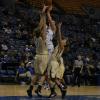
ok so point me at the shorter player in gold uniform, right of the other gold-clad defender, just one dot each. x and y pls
(56, 66)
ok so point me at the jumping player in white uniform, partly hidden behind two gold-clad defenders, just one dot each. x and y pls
(50, 31)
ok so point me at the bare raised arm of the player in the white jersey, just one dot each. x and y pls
(51, 21)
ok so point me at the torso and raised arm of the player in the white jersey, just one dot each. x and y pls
(50, 30)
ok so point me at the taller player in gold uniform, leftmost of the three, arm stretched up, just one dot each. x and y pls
(41, 58)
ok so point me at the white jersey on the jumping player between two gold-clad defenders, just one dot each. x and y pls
(49, 39)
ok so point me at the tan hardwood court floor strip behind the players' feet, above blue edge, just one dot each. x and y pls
(20, 90)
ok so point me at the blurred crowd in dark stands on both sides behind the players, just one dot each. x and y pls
(17, 46)
